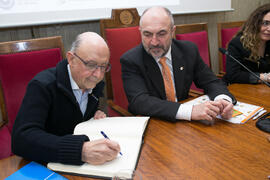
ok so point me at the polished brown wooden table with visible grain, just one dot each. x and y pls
(193, 150)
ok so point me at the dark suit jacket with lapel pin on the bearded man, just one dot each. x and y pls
(143, 82)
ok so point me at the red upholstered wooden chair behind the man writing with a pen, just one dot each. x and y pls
(20, 61)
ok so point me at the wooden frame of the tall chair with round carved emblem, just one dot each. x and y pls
(120, 18)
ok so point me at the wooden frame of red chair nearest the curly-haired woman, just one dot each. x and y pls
(220, 26)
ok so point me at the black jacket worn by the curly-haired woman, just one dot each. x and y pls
(235, 73)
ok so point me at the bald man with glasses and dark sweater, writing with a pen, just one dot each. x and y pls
(59, 98)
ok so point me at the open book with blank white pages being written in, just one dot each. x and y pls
(127, 131)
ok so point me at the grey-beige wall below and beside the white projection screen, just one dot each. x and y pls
(242, 9)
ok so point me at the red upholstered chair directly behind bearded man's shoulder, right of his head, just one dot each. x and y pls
(198, 34)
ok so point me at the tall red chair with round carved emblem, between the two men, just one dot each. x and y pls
(121, 33)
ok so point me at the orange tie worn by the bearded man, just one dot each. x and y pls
(166, 73)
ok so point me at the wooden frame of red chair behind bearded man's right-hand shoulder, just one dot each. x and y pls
(190, 28)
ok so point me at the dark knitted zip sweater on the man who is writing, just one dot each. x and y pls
(47, 117)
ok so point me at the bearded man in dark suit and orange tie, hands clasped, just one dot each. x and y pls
(159, 72)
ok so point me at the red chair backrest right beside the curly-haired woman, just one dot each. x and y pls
(226, 30)
